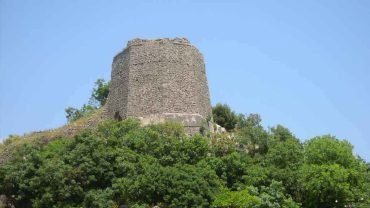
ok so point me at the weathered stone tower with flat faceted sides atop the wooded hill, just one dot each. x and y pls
(160, 80)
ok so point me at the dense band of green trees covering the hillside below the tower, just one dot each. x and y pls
(124, 163)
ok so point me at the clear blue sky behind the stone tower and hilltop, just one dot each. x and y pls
(302, 64)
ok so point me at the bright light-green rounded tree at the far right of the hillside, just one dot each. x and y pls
(331, 172)
